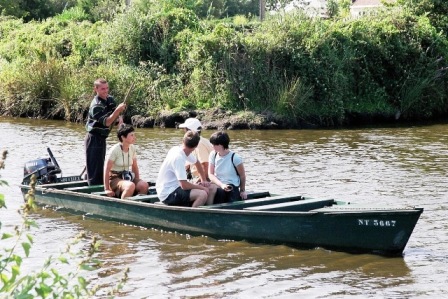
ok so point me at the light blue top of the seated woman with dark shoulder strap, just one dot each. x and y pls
(224, 168)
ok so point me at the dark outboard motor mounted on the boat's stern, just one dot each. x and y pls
(45, 170)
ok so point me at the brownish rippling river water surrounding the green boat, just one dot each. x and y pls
(407, 165)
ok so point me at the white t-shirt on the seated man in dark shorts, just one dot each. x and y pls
(172, 171)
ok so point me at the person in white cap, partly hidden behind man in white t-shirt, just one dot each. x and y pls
(203, 150)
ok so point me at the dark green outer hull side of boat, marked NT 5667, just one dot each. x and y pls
(350, 228)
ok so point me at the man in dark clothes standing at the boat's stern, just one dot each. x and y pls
(103, 112)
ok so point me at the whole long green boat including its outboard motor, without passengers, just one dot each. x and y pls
(292, 220)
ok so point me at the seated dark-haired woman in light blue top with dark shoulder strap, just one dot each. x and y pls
(226, 170)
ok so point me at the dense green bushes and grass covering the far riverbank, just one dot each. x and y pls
(187, 55)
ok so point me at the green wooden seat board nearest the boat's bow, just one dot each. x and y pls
(302, 205)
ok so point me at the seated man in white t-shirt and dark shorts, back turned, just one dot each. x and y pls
(172, 185)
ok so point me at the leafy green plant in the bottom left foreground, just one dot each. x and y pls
(47, 281)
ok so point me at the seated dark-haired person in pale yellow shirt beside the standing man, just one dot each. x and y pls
(118, 180)
